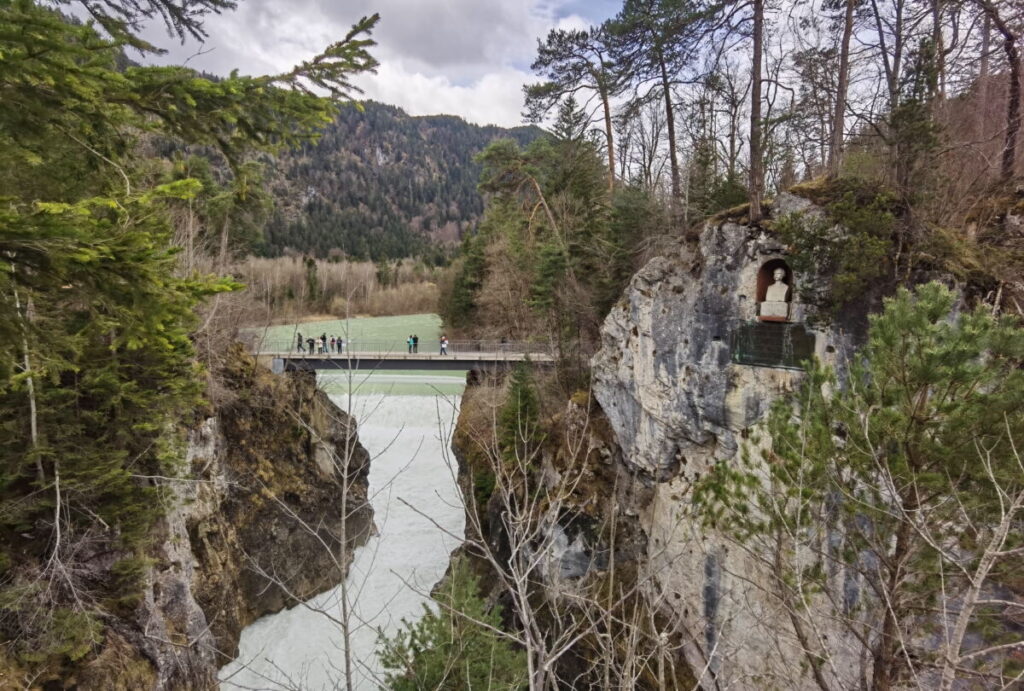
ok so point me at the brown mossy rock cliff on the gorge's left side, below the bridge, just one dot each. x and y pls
(268, 513)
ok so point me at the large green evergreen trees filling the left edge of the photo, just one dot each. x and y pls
(97, 362)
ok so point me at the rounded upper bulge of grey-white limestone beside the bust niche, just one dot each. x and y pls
(665, 376)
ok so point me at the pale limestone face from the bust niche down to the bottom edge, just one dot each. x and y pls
(668, 381)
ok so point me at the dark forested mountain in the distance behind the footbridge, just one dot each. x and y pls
(381, 184)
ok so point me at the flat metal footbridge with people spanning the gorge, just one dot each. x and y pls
(370, 356)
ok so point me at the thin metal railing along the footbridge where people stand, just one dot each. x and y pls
(382, 348)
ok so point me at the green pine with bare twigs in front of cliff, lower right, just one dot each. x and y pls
(906, 479)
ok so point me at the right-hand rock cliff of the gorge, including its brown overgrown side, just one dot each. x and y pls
(687, 373)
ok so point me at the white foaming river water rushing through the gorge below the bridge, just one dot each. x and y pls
(418, 514)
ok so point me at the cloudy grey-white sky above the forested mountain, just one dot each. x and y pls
(468, 58)
